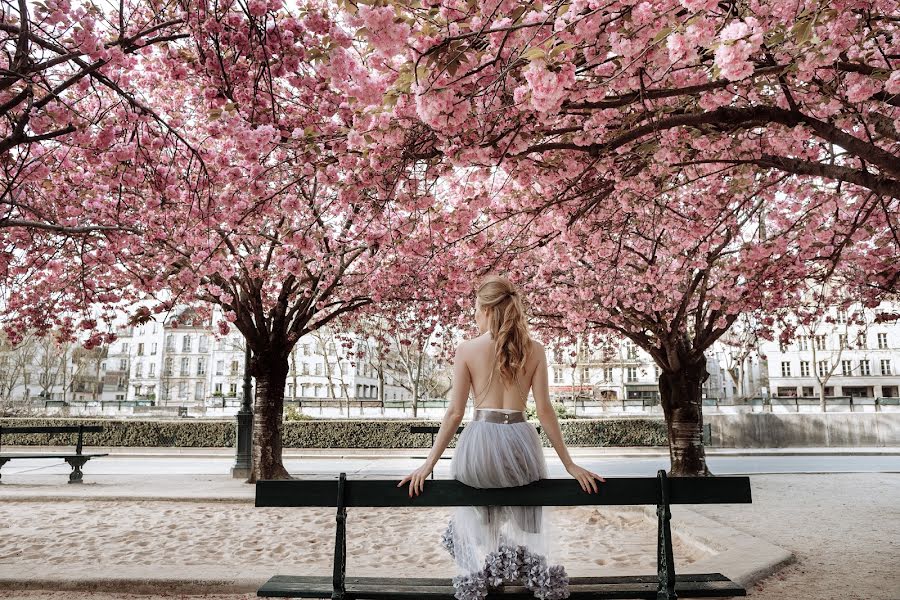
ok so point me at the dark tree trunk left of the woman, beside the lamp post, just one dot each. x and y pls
(270, 371)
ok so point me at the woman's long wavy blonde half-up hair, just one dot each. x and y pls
(507, 323)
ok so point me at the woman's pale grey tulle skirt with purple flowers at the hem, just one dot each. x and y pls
(492, 545)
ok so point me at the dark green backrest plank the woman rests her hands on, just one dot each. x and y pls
(544, 492)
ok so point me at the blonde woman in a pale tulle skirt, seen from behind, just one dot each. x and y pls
(500, 448)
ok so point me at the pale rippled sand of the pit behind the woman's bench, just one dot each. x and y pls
(397, 541)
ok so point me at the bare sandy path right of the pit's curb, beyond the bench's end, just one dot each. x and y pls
(844, 530)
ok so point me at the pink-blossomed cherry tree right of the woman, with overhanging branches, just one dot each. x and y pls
(664, 166)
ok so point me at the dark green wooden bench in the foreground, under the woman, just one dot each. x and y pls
(660, 490)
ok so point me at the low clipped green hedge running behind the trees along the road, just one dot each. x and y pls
(337, 433)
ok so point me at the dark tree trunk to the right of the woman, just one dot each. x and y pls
(681, 398)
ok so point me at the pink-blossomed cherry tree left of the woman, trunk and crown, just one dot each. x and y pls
(261, 209)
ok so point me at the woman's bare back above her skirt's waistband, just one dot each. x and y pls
(479, 359)
